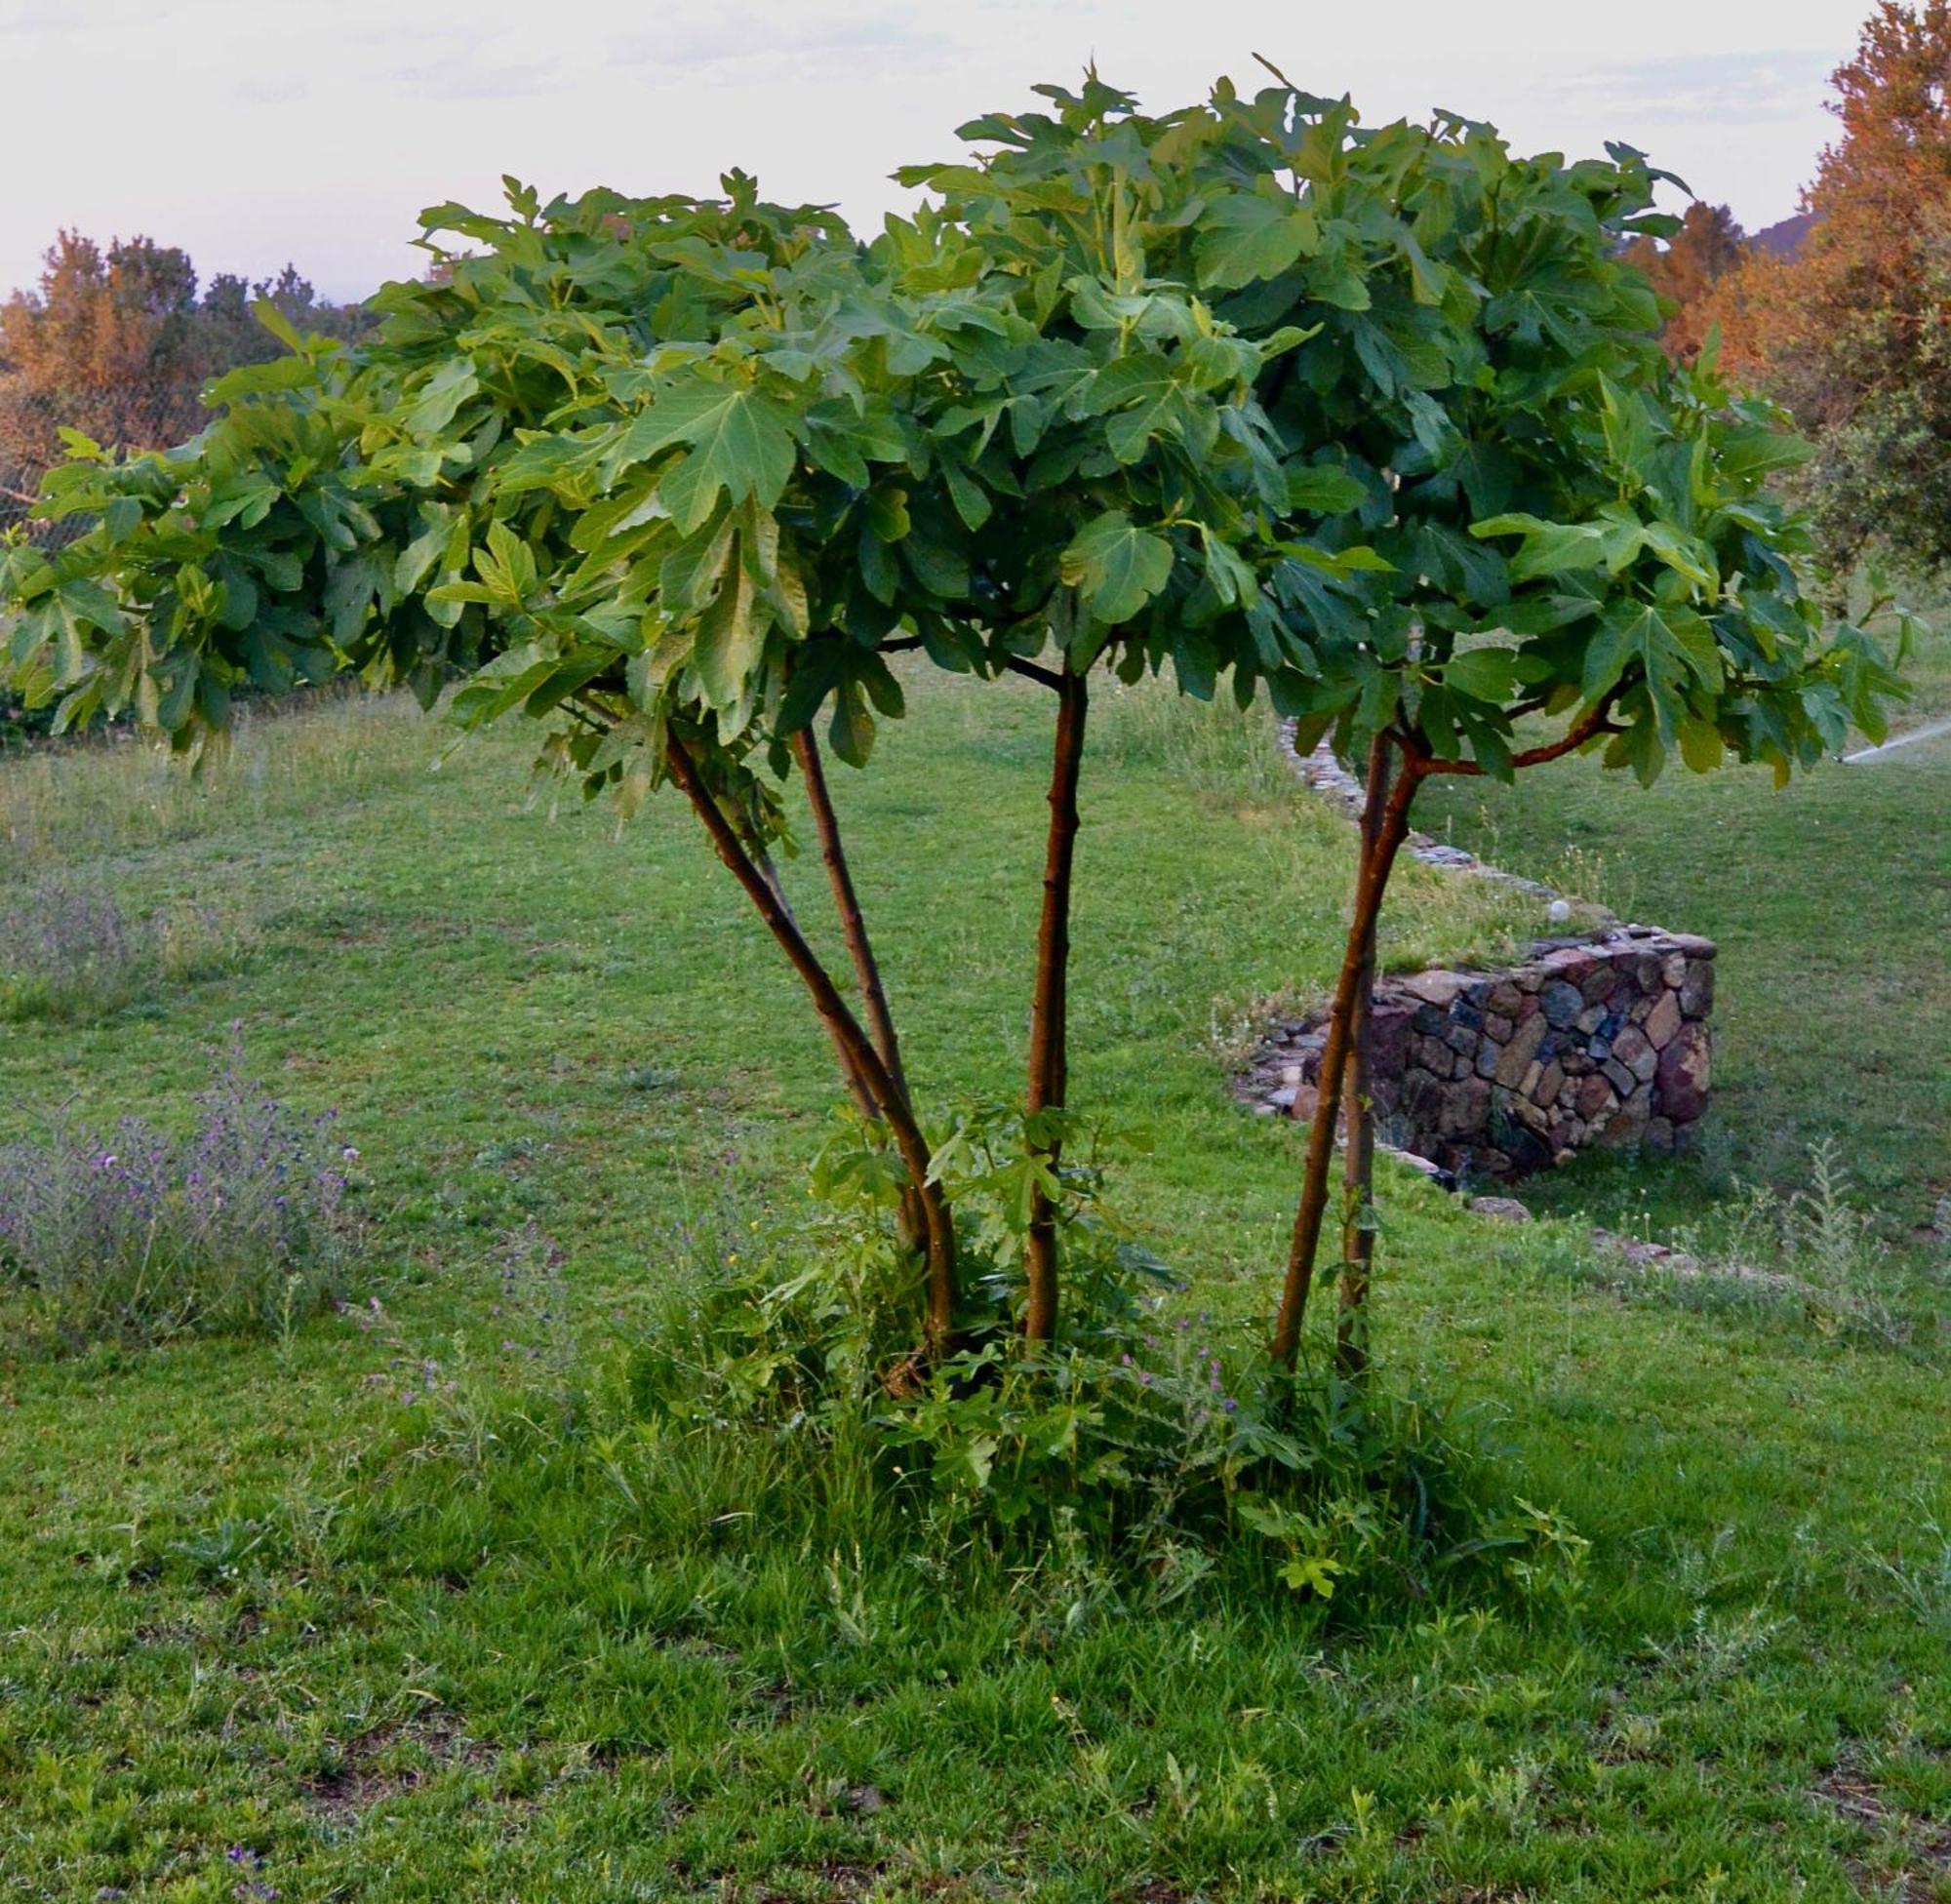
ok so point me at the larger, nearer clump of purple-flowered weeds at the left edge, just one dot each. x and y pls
(139, 1236)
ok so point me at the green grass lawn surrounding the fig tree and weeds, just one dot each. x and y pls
(251, 1603)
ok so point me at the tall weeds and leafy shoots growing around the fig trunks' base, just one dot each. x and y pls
(1146, 1456)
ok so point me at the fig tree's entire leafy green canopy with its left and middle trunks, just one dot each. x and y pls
(1373, 420)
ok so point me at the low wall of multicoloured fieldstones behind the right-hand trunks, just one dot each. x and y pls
(1495, 1074)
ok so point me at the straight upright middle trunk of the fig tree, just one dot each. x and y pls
(1051, 1006)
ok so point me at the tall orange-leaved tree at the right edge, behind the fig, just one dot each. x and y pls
(1854, 333)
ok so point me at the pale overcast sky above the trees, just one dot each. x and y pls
(253, 132)
